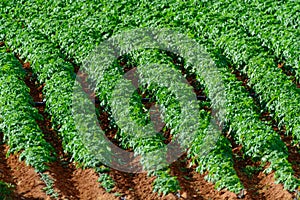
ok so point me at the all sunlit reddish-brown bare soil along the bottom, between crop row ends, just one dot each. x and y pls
(81, 184)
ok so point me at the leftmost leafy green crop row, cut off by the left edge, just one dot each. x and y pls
(18, 120)
